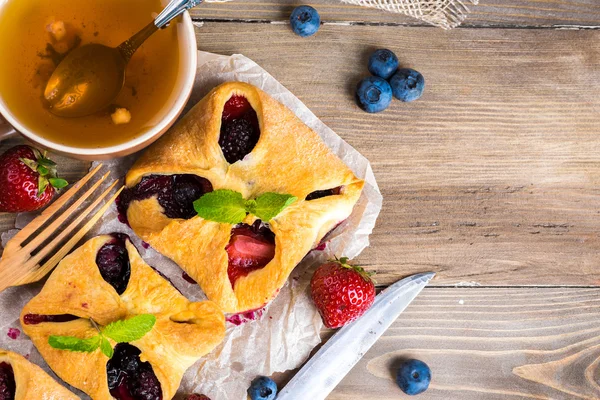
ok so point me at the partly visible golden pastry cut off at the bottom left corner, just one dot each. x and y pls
(22, 380)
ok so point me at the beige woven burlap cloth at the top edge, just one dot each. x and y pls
(446, 14)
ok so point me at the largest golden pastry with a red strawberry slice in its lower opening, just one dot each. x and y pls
(238, 138)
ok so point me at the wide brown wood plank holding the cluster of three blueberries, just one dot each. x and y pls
(493, 175)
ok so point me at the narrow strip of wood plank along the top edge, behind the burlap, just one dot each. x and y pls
(534, 13)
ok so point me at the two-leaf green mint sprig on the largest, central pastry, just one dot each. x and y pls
(229, 207)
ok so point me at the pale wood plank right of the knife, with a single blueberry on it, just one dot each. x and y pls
(489, 344)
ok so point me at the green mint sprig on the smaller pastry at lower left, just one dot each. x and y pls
(120, 331)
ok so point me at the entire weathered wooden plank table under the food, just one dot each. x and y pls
(492, 180)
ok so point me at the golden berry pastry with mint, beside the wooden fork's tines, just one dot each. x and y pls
(106, 280)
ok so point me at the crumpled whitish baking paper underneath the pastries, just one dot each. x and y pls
(281, 336)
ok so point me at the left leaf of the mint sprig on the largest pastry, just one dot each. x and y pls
(224, 206)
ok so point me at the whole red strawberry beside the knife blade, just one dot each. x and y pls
(341, 292)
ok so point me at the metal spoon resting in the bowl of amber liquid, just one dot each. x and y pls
(91, 76)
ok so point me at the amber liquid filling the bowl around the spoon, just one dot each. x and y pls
(36, 34)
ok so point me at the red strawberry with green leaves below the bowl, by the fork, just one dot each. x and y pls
(28, 180)
